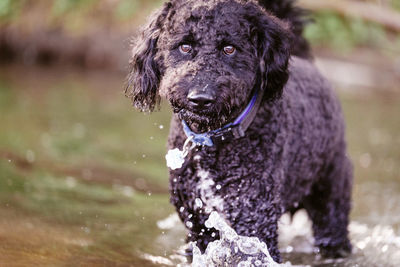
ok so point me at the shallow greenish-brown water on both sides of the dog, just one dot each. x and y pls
(83, 178)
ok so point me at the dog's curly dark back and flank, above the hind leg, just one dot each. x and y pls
(315, 132)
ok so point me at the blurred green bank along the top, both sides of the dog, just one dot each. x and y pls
(342, 25)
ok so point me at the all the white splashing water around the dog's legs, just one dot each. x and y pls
(374, 245)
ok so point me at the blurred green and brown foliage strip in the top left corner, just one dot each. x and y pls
(75, 16)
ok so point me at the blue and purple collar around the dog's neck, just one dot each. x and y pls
(233, 130)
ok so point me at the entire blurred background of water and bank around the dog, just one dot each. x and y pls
(83, 180)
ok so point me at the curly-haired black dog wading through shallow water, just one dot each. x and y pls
(273, 132)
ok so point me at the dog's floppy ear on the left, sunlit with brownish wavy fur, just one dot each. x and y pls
(144, 67)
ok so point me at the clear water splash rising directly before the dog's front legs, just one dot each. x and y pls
(232, 249)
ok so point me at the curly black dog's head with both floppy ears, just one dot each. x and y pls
(206, 57)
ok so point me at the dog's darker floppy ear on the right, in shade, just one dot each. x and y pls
(273, 49)
